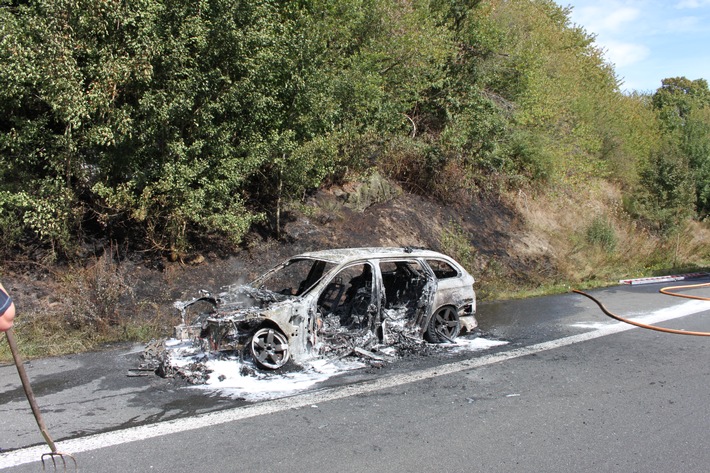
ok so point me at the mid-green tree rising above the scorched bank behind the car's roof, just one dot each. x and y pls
(356, 71)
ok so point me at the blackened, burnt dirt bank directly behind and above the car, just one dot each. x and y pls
(487, 235)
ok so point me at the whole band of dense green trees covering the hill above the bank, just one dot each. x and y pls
(179, 120)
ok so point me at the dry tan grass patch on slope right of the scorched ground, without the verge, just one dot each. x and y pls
(593, 242)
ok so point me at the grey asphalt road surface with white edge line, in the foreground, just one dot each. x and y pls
(572, 390)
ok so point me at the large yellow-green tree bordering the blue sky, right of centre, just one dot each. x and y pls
(528, 96)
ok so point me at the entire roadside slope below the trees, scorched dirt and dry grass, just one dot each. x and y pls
(515, 244)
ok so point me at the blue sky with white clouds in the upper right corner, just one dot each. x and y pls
(648, 40)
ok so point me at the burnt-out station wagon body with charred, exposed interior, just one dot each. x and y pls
(321, 302)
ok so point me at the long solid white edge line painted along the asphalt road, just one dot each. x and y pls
(135, 434)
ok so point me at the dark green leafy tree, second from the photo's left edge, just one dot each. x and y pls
(200, 118)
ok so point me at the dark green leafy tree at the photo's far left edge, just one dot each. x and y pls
(62, 73)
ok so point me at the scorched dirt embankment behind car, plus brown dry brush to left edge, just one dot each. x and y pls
(486, 235)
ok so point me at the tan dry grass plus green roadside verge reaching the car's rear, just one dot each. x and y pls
(589, 242)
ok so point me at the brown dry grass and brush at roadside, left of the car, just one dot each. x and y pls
(88, 307)
